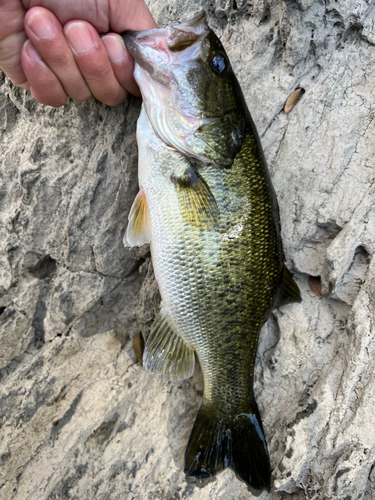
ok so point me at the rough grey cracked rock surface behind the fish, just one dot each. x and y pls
(79, 418)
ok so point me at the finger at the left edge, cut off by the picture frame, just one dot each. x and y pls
(12, 37)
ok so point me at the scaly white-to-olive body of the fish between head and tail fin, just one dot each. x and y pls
(200, 284)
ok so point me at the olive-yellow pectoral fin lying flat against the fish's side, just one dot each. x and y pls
(197, 203)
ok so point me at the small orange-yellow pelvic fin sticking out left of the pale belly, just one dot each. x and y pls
(138, 231)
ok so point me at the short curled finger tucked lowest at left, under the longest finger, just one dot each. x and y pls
(44, 84)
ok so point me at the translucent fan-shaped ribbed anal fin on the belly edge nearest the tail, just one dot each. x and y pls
(166, 355)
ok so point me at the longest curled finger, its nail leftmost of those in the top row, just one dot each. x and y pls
(47, 37)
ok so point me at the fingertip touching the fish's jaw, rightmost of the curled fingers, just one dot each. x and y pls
(122, 62)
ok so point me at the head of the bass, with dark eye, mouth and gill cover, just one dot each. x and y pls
(192, 98)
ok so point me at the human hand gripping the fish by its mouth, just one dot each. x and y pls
(55, 51)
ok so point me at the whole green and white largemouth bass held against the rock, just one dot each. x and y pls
(208, 209)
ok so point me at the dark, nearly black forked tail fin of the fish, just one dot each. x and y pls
(218, 441)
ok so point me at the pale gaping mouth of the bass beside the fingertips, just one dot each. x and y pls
(153, 49)
